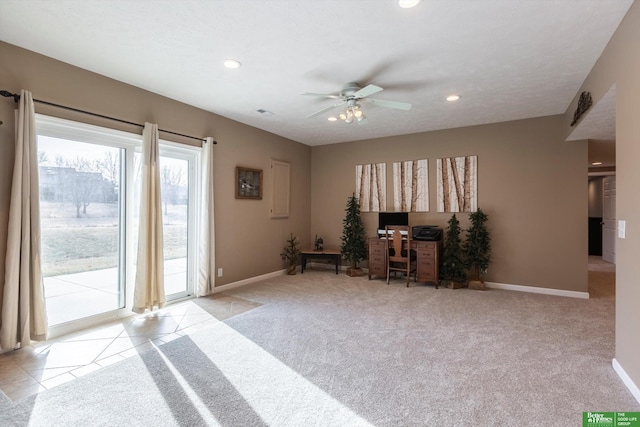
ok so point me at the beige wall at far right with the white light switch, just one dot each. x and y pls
(620, 65)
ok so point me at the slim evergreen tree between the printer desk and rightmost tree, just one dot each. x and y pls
(452, 268)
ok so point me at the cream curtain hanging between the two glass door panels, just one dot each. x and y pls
(149, 285)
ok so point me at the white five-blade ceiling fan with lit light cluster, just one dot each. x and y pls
(352, 95)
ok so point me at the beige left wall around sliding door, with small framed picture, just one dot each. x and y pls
(248, 243)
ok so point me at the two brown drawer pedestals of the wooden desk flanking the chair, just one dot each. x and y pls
(427, 253)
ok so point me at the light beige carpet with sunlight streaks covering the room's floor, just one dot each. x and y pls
(329, 350)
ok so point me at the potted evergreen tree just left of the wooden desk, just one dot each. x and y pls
(354, 242)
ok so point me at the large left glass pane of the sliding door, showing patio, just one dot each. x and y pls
(81, 216)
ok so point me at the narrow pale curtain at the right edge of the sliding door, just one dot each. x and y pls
(206, 262)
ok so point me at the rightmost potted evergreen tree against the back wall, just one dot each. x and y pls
(477, 248)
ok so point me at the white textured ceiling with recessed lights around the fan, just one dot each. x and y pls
(508, 59)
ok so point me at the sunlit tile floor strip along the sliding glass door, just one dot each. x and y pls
(45, 365)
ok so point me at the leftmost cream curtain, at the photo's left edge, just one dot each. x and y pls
(24, 314)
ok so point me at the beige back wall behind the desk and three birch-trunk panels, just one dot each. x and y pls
(531, 183)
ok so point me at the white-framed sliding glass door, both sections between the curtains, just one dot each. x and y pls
(89, 188)
